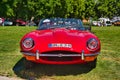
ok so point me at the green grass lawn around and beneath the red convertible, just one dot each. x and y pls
(108, 64)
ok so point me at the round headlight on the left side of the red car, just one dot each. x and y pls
(28, 43)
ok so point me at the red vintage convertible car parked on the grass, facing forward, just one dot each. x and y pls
(60, 41)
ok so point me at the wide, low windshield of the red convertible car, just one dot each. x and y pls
(60, 23)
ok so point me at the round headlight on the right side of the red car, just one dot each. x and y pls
(92, 44)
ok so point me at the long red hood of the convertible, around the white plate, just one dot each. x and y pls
(77, 39)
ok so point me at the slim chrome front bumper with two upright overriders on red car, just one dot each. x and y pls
(38, 54)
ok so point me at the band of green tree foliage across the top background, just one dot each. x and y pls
(25, 9)
